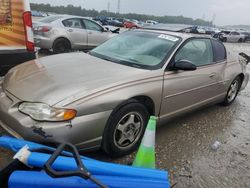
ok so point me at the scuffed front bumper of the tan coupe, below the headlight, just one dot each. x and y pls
(84, 131)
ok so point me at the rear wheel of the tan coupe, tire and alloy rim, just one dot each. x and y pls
(232, 92)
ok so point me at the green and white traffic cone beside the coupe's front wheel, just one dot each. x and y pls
(145, 156)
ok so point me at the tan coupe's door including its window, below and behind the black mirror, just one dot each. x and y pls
(186, 90)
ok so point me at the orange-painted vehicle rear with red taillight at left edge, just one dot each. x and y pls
(16, 35)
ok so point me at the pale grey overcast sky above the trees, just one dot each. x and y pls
(225, 12)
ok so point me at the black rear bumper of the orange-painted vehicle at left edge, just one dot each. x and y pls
(11, 58)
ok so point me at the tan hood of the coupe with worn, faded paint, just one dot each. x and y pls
(55, 78)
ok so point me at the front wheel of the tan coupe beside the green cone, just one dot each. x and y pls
(124, 129)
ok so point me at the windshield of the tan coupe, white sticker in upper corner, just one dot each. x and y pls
(137, 48)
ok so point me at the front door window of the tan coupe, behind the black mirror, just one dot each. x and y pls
(198, 51)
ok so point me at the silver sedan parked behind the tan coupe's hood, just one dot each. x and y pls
(63, 33)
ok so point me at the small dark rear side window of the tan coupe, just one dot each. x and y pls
(219, 51)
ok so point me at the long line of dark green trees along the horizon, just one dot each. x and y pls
(79, 11)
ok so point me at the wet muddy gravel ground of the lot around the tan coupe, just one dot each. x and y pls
(183, 146)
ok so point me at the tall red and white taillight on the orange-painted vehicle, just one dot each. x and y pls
(29, 38)
